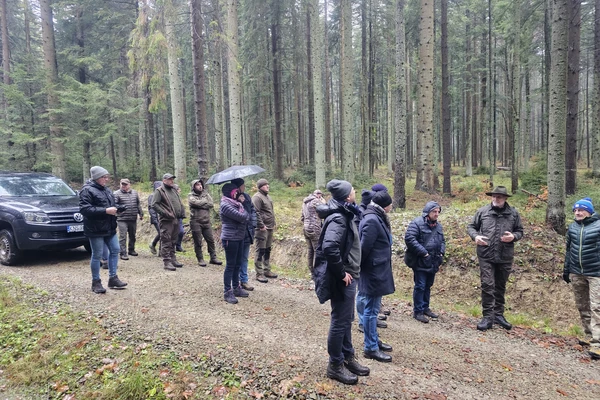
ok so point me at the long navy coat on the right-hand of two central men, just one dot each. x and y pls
(376, 278)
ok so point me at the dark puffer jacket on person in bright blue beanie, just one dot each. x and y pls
(583, 247)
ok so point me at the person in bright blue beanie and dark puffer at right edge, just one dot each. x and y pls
(582, 267)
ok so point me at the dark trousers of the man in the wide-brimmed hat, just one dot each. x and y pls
(493, 286)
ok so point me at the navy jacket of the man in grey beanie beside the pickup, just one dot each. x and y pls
(94, 199)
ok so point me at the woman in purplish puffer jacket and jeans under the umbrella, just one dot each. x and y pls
(234, 219)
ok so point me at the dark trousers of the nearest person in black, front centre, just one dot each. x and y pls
(339, 341)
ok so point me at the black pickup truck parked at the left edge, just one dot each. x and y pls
(38, 211)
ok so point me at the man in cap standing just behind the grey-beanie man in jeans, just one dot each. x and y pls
(128, 198)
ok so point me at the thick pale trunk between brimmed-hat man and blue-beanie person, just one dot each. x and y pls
(555, 211)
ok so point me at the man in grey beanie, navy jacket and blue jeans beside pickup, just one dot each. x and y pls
(99, 210)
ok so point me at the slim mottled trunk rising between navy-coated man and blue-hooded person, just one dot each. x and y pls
(400, 117)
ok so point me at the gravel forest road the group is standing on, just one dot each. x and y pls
(277, 337)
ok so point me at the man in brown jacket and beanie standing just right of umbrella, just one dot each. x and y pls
(265, 226)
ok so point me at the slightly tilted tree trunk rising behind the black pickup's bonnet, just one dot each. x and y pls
(57, 145)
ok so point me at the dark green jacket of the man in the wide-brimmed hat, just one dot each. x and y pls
(492, 222)
